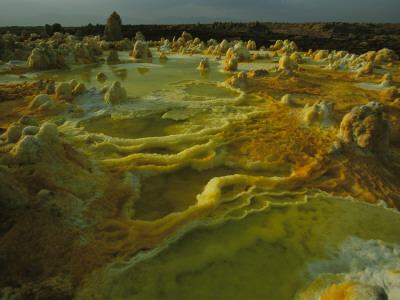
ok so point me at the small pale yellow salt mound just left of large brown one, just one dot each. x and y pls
(320, 112)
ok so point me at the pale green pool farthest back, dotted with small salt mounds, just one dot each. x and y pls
(138, 77)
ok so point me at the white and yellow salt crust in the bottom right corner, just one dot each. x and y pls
(359, 270)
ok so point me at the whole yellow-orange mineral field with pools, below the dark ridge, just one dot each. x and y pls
(189, 169)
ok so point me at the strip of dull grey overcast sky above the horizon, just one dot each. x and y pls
(82, 12)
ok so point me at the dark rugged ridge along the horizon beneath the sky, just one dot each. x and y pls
(354, 37)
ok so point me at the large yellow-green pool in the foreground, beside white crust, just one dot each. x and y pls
(262, 256)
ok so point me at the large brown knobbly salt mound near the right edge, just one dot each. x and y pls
(365, 127)
